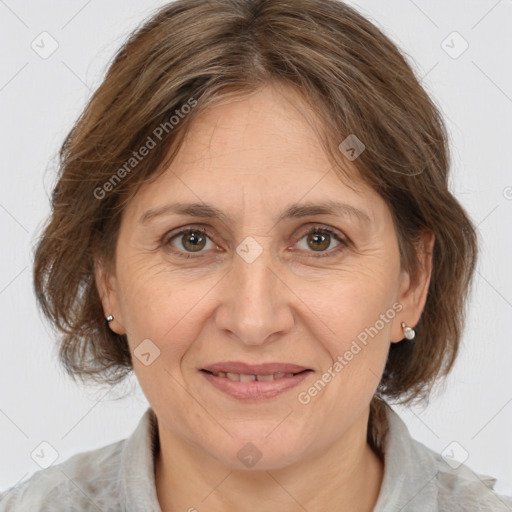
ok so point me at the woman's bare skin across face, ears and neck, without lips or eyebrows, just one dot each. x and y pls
(251, 158)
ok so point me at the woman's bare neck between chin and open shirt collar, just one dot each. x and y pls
(348, 473)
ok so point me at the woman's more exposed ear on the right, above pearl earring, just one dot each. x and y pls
(413, 292)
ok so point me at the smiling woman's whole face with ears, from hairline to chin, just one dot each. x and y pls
(258, 289)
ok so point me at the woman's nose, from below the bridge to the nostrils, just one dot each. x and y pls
(256, 305)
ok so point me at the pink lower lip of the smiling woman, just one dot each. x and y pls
(255, 390)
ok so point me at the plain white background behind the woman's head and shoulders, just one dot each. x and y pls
(41, 98)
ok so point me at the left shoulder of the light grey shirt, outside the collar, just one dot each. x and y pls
(86, 481)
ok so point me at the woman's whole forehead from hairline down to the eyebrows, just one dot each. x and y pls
(255, 152)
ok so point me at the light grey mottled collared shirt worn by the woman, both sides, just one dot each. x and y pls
(120, 477)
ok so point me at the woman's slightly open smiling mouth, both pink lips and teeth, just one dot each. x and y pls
(256, 382)
